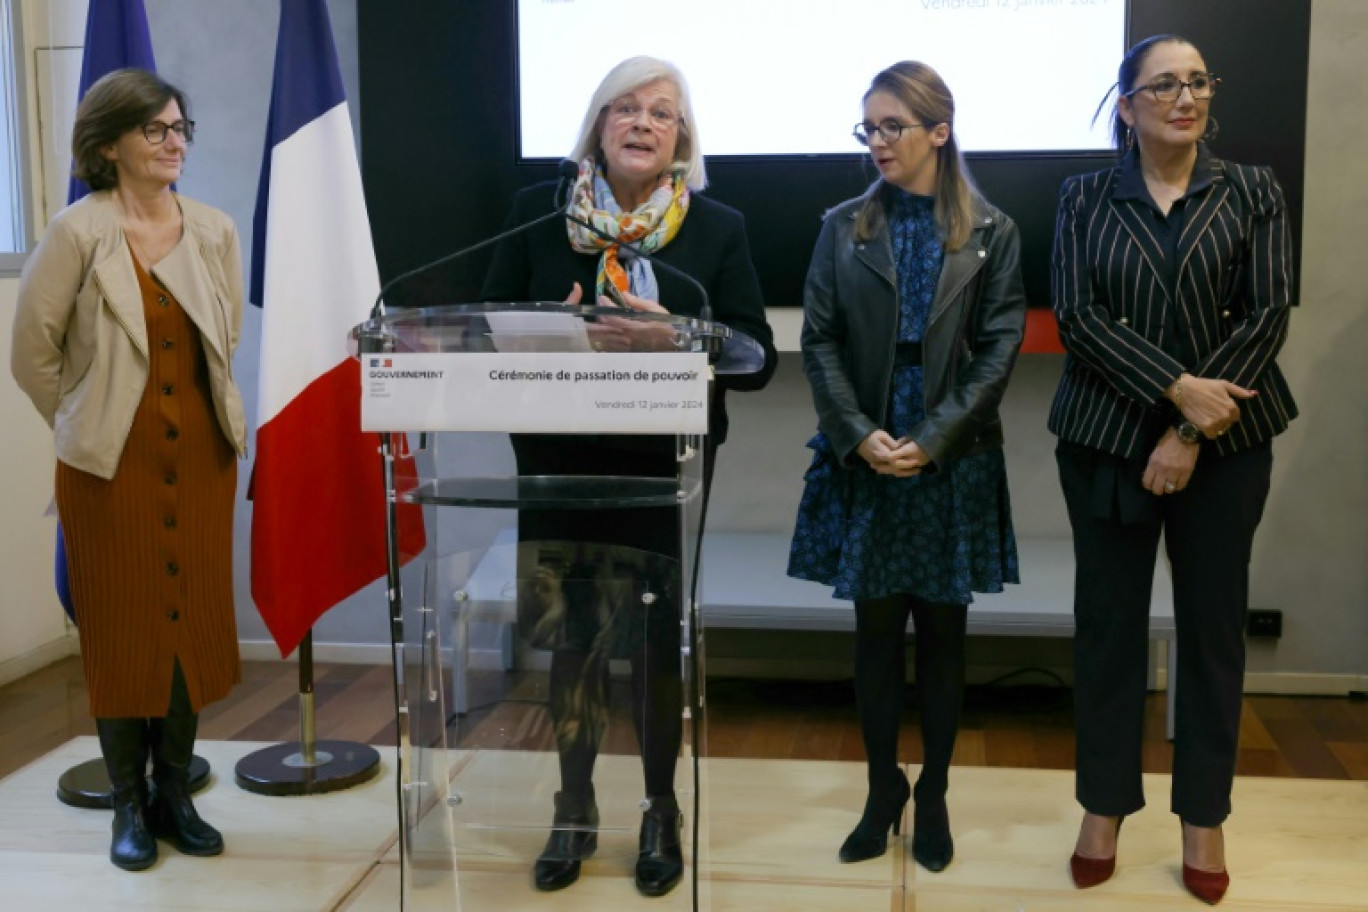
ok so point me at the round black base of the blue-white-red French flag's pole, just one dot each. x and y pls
(284, 769)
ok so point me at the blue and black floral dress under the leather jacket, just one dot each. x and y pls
(940, 535)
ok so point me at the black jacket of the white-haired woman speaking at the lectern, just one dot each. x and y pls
(711, 247)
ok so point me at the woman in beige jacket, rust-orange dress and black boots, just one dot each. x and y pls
(124, 337)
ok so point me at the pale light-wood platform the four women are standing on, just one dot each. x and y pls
(1295, 846)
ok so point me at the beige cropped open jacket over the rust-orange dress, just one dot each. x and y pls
(80, 347)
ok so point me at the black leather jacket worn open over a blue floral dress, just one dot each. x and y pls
(973, 333)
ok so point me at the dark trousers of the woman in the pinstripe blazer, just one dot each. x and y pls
(1209, 531)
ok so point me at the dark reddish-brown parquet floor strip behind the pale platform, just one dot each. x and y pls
(1009, 727)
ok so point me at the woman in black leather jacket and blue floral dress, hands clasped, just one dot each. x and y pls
(915, 311)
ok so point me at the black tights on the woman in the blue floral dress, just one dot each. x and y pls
(882, 679)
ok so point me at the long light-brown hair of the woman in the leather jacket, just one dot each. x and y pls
(928, 98)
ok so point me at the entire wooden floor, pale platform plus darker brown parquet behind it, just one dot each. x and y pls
(785, 784)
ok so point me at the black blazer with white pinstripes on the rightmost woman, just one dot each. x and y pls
(1233, 292)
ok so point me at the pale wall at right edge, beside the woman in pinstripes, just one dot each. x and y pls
(1313, 553)
